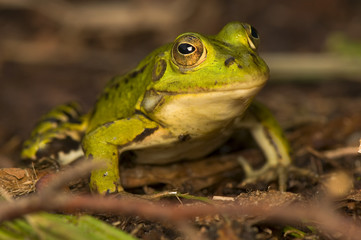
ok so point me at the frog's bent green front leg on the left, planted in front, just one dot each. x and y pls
(105, 143)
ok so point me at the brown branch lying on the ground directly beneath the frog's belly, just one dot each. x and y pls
(198, 174)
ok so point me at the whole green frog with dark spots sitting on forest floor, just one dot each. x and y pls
(180, 103)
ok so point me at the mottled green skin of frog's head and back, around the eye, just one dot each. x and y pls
(122, 95)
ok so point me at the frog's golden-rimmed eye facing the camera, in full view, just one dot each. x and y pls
(188, 51)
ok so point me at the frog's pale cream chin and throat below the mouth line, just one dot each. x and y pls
(203, 112)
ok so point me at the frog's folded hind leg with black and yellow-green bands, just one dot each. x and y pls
(57, 135)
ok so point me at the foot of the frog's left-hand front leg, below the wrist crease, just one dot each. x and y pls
(105, 182)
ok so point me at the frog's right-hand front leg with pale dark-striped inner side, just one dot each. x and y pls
(270, 138)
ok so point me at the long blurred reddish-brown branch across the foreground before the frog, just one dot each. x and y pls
(322, 217)
